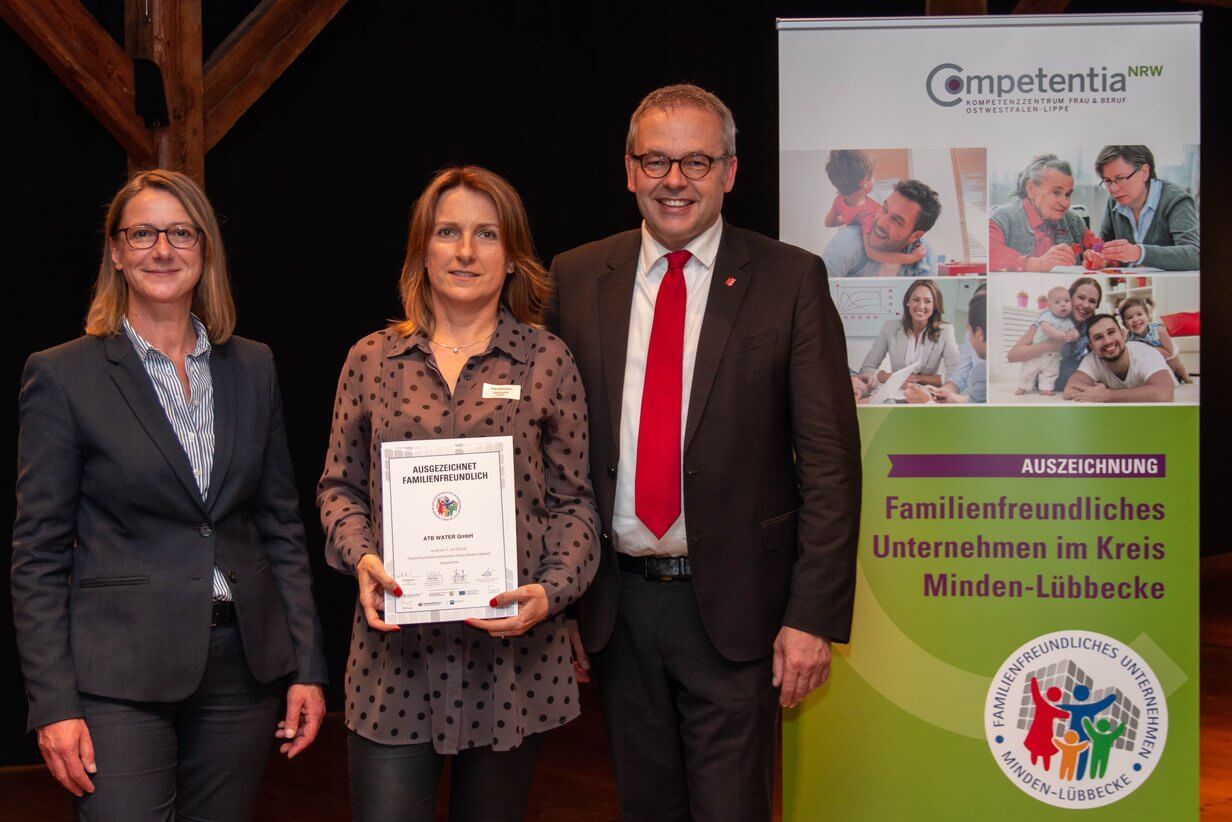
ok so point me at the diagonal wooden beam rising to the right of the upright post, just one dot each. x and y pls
(257, 55)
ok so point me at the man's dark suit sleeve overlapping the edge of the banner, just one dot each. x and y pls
(827, 442)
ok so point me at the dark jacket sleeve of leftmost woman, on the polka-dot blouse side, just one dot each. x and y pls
(277, 518)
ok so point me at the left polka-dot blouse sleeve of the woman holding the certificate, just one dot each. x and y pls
(342, 494)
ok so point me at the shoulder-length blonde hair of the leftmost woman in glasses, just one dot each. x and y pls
(213, 300)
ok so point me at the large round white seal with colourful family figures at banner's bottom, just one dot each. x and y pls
(1076, 719)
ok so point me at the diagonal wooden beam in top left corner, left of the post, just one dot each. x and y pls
(88, 61)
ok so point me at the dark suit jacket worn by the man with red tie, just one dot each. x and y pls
(772, 540)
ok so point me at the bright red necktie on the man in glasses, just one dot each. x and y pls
(657, 486)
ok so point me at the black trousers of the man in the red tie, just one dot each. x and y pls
(693, 735)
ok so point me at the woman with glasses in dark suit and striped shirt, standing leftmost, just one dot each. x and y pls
(161, 585)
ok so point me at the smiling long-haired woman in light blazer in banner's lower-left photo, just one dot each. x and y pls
(920, 337)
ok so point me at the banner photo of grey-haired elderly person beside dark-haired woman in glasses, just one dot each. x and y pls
(1095, 210)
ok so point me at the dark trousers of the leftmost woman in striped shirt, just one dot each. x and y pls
(198, 760)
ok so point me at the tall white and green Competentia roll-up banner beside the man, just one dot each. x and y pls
(1008, 214)
